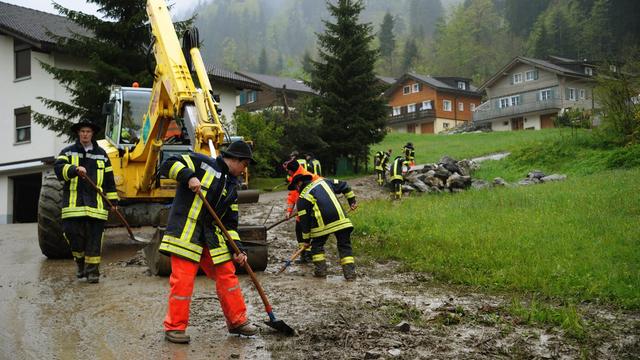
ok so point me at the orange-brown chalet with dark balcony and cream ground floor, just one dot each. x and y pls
(428, 105)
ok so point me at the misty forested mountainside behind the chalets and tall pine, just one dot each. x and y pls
(470, 38)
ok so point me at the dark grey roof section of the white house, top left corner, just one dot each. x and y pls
(32, 26)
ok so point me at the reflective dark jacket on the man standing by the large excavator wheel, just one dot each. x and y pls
(79, 198)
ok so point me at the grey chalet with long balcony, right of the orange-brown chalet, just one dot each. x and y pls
(529, 93)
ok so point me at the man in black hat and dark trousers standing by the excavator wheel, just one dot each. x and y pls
(83, 209)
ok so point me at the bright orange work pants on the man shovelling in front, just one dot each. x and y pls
(183, 274)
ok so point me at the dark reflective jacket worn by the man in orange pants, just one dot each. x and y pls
(190, 225)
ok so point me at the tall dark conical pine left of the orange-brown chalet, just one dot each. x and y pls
(352, 111)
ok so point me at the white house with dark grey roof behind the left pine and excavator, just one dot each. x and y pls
(26, 148)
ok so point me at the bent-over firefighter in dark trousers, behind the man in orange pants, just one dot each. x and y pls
(321, 215)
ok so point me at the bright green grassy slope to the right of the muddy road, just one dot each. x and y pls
(576, 240)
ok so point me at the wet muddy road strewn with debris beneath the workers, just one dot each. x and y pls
(386, 314)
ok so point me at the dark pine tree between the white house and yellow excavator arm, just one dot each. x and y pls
(116, 54)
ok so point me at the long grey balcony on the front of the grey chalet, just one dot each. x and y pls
(489, 110)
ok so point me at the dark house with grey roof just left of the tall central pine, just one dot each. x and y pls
(276, 92)
